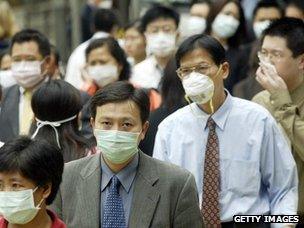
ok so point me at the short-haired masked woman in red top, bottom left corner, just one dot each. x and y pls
(30, 175)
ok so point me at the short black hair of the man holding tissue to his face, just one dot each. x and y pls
(290, 29)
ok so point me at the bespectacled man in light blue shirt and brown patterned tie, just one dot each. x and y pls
(234, 148)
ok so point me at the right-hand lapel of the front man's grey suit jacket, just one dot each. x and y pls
(145, 196)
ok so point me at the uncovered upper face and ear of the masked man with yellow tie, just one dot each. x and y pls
(28, 51)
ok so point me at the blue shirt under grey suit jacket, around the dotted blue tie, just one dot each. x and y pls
(126, 177)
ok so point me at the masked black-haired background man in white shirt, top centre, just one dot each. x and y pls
(160, 25)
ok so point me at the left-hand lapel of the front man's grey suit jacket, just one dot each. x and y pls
(90, 193)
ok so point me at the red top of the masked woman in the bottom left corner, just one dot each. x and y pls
(41, 220)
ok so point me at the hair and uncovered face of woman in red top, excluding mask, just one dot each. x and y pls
(31, 164)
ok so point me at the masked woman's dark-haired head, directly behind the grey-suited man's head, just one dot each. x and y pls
(106, 62)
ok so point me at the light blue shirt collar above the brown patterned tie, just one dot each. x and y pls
(220, 116)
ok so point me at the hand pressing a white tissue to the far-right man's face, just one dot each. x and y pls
(269, 79)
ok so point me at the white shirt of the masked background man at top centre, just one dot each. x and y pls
(147, 74)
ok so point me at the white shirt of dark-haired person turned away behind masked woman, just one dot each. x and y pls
(77, 61)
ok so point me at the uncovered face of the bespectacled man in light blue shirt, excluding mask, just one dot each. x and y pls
(201, 60)
